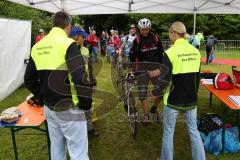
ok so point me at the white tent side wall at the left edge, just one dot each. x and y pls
(15, 43)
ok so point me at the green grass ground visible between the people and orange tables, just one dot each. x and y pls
(115, 141)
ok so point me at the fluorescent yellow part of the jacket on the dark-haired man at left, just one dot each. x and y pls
(49, 54)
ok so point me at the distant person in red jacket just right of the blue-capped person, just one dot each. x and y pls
(93, 40)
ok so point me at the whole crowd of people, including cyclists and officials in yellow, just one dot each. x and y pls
(60, 73)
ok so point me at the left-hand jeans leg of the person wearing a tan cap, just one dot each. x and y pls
(169, 122)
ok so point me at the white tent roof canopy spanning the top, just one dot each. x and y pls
(88, 7)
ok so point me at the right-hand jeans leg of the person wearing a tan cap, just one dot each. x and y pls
(198, 152)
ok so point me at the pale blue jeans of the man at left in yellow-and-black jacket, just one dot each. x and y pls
(66, 134)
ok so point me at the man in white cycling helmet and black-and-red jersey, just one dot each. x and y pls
(147, 52)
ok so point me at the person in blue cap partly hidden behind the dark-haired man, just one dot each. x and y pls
(79, 35)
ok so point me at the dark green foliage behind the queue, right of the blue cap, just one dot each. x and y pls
(222, 26)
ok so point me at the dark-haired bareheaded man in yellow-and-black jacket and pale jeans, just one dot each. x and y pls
(55, 74)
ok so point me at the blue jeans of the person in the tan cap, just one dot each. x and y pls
(169, 122)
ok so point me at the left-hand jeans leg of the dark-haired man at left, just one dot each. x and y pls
(58, 142)
